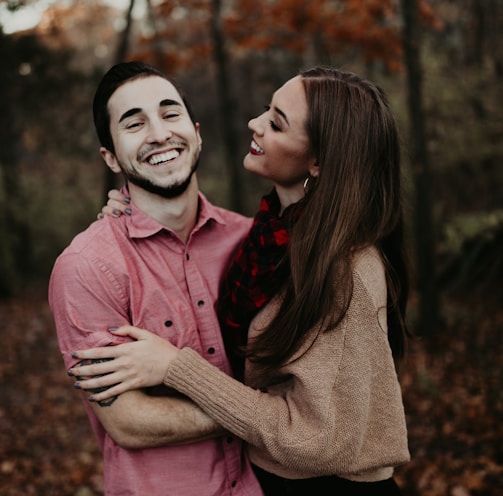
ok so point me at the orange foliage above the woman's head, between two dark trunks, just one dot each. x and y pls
(296, 25)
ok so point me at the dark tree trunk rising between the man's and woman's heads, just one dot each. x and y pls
(226, 108)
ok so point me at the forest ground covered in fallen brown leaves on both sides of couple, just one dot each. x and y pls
(452, 389)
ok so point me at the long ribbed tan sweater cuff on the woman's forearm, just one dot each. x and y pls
(226, 400)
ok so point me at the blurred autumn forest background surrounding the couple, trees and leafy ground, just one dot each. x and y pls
(441, 64)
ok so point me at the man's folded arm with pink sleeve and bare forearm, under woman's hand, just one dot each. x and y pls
(83, 305)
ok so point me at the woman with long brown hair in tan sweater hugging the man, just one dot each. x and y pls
(317, 293)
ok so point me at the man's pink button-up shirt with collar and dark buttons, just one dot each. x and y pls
(133, 270)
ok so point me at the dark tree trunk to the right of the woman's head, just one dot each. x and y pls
(428, 318)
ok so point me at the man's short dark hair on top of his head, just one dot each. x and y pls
(116, 76)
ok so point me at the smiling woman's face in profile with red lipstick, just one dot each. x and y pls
(280, 147)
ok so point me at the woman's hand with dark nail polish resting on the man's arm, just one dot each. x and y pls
(135, 365)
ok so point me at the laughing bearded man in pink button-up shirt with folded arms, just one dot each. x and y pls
(158, 269)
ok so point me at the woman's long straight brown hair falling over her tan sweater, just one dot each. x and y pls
(354, 202)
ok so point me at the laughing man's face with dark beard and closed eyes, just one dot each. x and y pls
(157, 145)
